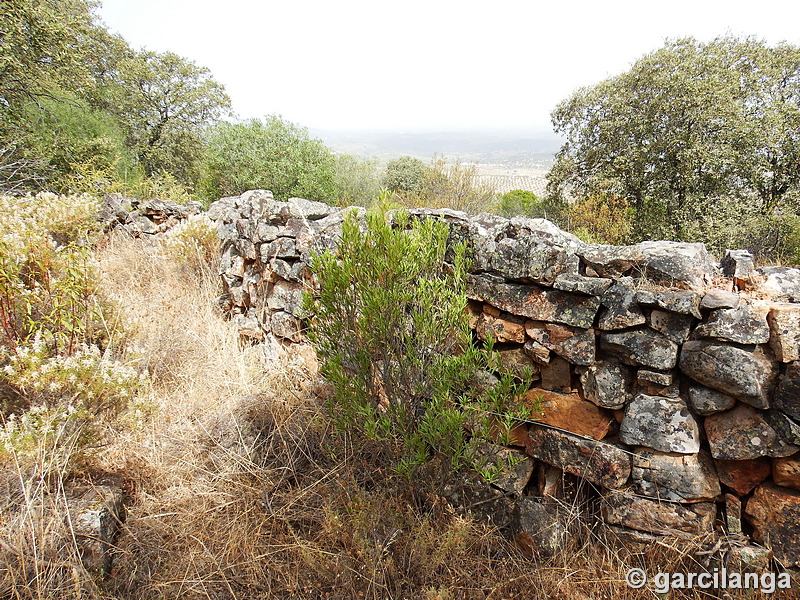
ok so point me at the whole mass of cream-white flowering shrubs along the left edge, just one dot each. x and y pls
(56, 384)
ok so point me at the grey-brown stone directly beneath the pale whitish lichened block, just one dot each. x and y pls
(676, 477)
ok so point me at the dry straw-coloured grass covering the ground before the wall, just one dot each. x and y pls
(238, 488)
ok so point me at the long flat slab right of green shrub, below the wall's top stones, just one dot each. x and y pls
(535, 302)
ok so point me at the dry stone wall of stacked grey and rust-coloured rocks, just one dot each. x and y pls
(666, 379)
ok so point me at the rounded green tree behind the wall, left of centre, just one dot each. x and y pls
(272, 154)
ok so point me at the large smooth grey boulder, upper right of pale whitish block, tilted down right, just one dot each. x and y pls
(747, 375)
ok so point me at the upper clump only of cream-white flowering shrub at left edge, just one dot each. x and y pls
(48, 277)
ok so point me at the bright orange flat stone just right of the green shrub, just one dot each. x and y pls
(570, 412)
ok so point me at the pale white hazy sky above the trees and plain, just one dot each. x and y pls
(426, 64)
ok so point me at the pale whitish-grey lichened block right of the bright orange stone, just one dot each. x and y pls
(664, 424)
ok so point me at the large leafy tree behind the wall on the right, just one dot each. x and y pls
(691, 124)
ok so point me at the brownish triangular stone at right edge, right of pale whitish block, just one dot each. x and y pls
(743, 433)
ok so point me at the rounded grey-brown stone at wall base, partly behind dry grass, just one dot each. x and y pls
(537, 529)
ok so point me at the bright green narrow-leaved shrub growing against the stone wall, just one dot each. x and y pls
(392, 334)
